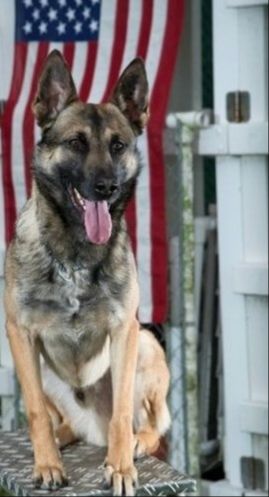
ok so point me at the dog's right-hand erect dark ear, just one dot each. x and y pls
(131, 95)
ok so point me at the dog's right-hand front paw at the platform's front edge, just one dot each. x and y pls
(123, 482)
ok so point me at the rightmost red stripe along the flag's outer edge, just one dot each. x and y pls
(158, 106)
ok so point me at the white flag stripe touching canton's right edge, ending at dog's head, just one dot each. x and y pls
(105, 46)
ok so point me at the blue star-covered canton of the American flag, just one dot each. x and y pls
(57, 20)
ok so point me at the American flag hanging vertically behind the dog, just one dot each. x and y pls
(98, 38)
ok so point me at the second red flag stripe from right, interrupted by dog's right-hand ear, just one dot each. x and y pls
(142, 49)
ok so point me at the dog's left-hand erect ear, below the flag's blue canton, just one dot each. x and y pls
(56, 89)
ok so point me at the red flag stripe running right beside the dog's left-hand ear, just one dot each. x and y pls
(28, 121)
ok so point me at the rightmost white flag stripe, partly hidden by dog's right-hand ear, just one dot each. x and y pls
(143, 206)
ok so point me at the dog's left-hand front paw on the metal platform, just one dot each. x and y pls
(49, 477)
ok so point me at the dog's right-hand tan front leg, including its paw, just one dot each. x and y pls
(120, 470)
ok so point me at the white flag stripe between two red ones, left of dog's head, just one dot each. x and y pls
(17, 159)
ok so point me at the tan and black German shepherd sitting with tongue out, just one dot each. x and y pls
(71, 294)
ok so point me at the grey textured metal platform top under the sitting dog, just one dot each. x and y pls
(84, 466)
